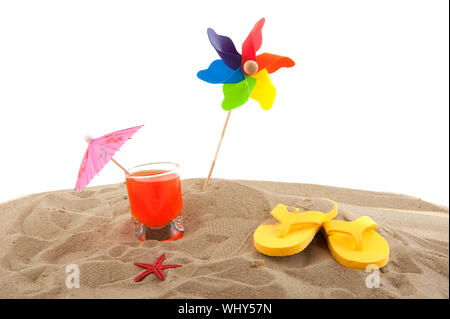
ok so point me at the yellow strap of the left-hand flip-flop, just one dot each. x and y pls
(288, 219)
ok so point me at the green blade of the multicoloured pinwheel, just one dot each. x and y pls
(237, 94)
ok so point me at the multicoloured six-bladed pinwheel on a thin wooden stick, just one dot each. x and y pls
(243, 76)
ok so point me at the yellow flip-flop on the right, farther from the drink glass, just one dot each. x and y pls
(355, 244)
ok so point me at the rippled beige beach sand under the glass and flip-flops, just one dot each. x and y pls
(43, 233)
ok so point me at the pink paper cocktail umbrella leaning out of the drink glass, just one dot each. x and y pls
(99, 152)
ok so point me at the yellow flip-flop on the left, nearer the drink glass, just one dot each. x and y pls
(293, 233)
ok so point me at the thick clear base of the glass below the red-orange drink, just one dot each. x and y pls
(172, 231)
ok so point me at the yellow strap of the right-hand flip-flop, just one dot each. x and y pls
(354, 228)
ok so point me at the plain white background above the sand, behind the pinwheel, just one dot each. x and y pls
(365, 107)
